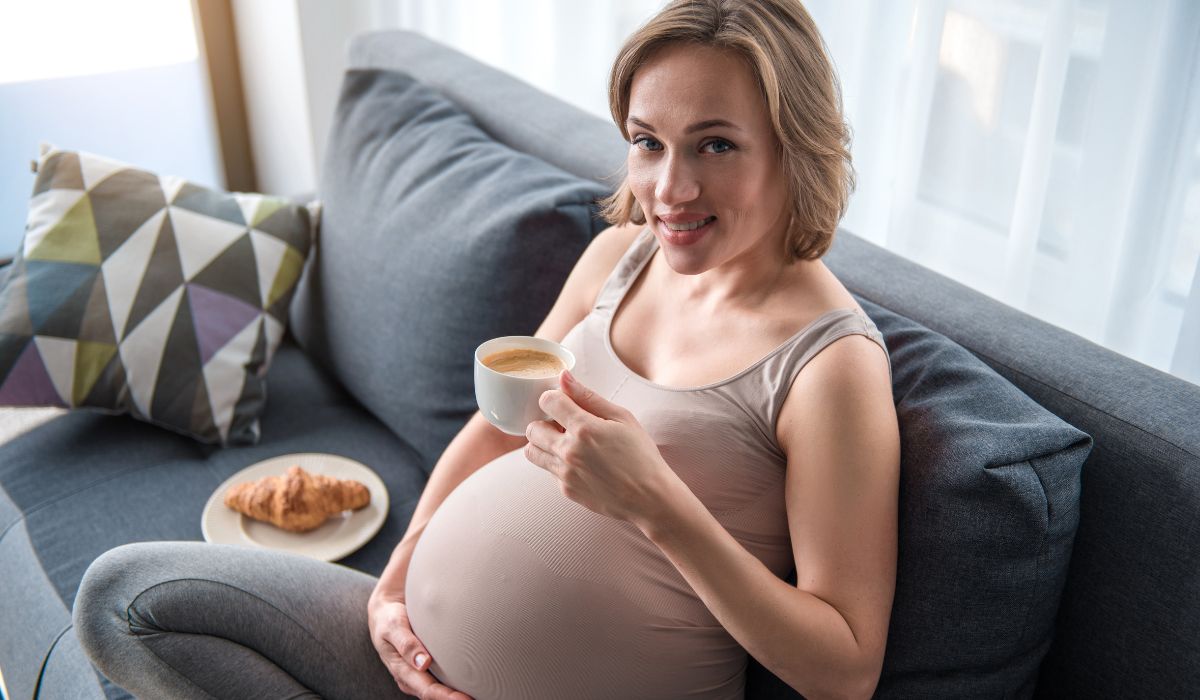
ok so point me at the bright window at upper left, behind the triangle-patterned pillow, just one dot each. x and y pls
(121, 79)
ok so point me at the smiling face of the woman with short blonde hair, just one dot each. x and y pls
(704, 159)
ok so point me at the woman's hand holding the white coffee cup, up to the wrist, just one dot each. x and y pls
(602, 456)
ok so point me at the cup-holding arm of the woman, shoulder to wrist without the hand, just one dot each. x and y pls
(825, 637)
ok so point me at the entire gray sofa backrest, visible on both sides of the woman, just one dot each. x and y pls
(1130, 620)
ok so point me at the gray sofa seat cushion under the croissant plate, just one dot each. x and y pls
(85, 483)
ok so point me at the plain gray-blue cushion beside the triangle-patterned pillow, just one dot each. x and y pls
(434, 240)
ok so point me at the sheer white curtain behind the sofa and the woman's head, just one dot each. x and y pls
(1043, 152)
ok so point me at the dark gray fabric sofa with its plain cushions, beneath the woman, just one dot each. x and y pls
(1109, 605)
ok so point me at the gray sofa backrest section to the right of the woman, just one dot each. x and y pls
(1130, 619)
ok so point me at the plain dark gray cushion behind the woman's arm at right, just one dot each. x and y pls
(989, 506)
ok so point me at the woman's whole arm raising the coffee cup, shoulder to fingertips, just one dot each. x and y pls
(826, 636)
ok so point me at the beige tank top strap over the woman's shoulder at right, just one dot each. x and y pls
(765, 394)
